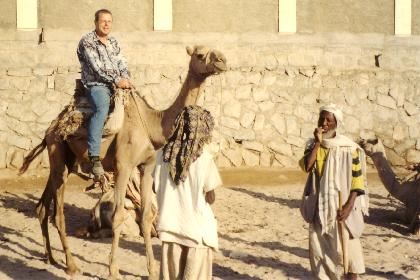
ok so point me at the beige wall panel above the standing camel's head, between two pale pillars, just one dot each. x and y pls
(222, 15)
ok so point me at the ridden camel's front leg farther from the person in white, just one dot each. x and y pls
(123, 175)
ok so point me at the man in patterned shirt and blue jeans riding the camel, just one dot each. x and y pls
(103, 68)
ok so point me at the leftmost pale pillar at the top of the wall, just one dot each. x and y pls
(27, 14)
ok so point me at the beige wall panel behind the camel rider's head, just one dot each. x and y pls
(79, 14)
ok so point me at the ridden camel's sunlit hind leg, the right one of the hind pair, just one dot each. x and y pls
(61, 227)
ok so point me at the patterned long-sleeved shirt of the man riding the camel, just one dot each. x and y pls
(102, 64)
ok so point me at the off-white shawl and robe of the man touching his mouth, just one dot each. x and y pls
(325, 249)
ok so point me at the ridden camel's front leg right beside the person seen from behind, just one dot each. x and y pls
(147, 218)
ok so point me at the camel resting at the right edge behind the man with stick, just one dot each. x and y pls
(405, 190)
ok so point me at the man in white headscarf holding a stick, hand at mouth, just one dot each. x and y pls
(337, 168)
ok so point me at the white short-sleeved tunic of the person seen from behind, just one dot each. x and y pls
(184, 215)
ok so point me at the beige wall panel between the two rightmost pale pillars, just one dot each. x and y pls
(359, 16)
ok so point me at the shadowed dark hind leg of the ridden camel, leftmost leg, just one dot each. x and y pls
(42, 210)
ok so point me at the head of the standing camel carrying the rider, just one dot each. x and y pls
(206, 62)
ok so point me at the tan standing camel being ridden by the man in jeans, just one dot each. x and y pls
(143, 131)
